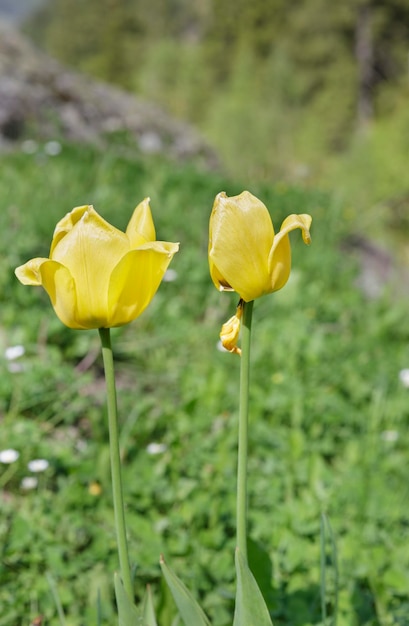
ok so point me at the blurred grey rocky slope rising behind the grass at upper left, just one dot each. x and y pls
(39, 97)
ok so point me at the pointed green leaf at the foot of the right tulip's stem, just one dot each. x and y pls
(250, 610)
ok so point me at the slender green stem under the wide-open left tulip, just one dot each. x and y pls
(117, 491)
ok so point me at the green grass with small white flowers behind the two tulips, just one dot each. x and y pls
(325, 393)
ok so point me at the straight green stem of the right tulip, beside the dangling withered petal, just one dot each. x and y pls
(243, 429)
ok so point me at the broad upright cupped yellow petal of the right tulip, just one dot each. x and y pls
(241, 235)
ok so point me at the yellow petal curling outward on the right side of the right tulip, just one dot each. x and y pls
(279, 261)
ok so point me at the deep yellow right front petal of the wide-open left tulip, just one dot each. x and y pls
(135, 280)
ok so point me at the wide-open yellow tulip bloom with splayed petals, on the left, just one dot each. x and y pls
(96, 275)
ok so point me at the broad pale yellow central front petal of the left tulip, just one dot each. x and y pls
(90, 251)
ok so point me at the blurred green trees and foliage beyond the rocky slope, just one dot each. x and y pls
(284, 91)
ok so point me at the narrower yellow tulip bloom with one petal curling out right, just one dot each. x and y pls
(245, 255)
